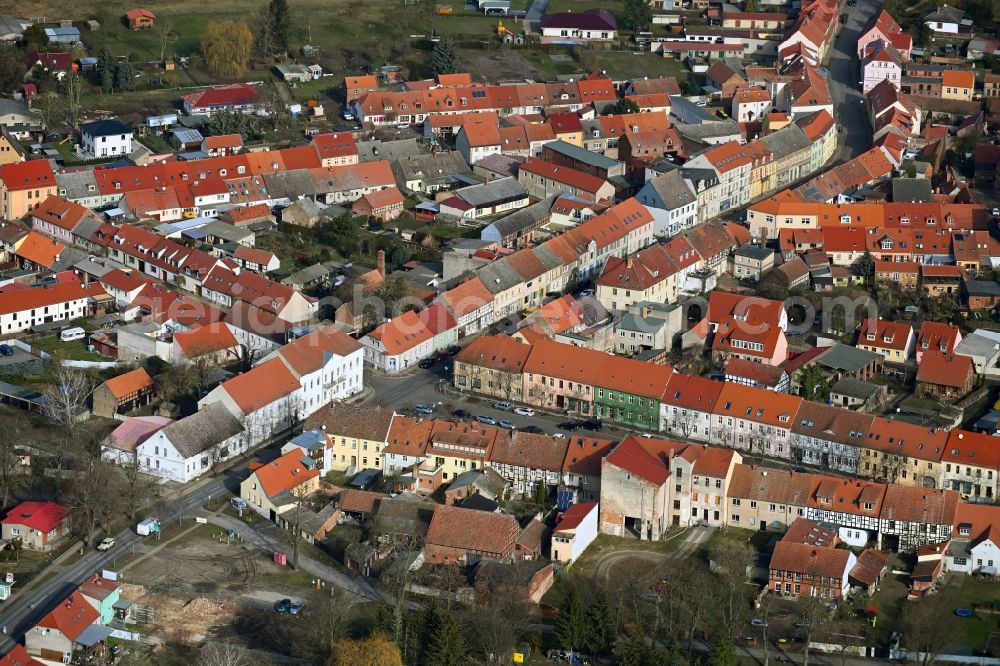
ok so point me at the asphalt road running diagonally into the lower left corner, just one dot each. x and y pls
(23, 610)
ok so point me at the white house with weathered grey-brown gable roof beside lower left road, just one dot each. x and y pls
(186, 449)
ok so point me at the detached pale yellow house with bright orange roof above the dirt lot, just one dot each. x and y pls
(279, 485)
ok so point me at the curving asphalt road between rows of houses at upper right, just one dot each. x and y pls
(843, 75)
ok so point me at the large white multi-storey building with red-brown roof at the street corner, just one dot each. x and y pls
(328, 363)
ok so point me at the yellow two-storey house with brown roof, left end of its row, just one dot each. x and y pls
(355, 434)
